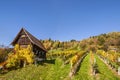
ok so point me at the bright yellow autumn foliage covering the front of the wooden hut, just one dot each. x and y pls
(25, 55)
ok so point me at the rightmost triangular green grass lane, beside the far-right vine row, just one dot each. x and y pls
(104, 72)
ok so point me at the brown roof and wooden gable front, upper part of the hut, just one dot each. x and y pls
(24, 38)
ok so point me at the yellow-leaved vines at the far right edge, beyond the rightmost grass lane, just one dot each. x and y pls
(110, 57)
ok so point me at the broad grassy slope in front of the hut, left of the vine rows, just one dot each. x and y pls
(41, 72)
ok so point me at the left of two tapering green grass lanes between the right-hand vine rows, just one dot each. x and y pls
(84, 71)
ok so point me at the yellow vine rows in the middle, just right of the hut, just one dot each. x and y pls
(68, 56)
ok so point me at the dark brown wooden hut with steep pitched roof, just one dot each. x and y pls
(24, 38)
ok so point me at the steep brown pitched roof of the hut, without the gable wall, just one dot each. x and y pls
(32, 39)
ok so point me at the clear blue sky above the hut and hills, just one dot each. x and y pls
(58, 19)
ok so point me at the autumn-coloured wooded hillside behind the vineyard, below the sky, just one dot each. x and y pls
(103, 41)
